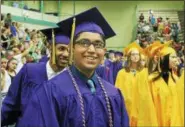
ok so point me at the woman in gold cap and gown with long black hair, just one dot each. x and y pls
(163, 88)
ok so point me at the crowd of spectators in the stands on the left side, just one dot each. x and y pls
(19, 45)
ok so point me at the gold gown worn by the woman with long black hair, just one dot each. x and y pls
(165, 100)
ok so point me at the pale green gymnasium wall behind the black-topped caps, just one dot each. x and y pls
(120, 14)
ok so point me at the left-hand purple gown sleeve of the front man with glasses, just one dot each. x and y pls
(40, 111)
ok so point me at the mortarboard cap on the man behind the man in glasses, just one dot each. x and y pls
(61, 37)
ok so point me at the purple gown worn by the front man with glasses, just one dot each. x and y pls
(56, 104)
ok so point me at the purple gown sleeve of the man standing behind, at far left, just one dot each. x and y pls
(11, 104)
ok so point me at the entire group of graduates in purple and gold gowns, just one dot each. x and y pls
(53, 94)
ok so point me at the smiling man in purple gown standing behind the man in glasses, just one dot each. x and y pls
(33, 75)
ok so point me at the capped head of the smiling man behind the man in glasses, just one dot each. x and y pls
(58, 49)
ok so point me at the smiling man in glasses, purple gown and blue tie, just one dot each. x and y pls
(78, 97)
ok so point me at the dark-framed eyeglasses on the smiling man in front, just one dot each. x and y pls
(86, 43)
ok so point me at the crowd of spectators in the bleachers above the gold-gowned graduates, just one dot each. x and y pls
(159, 29)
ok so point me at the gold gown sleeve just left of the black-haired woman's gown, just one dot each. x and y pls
(145, 101)
